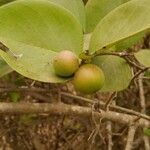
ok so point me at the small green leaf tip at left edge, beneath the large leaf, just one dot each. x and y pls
(4, 68)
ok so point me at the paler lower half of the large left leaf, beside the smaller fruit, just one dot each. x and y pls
(35, 63)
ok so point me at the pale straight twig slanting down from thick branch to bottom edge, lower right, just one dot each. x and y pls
(130, 137)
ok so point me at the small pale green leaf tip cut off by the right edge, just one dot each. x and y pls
(143, 56)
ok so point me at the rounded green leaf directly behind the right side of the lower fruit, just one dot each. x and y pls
(117, 72)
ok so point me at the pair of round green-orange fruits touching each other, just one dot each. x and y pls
(88, 78)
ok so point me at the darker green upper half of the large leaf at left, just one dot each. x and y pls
(41, 23)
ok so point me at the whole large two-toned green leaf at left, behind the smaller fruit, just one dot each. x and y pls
(38, 29)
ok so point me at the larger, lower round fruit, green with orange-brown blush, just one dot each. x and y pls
(89, 79)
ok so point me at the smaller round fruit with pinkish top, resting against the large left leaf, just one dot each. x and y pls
(65, 63)
